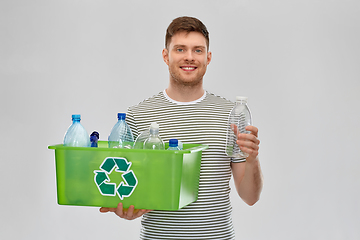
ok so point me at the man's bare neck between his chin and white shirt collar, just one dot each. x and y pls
(185, 93)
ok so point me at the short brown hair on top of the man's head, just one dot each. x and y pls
(187, 24)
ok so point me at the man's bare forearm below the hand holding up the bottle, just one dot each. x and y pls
(249, 181)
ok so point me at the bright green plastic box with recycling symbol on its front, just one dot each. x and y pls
(147, 179)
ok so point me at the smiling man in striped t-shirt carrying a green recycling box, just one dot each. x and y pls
(186, 111)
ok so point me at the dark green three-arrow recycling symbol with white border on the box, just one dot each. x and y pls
(102, 181)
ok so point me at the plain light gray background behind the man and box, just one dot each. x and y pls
(297, 61)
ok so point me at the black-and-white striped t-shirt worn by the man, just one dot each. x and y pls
(201, 122)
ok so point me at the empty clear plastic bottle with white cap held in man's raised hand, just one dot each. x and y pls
(239, 118)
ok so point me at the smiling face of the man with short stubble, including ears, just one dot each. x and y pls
(187, 57)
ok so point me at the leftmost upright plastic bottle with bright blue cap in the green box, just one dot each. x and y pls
(76, 135)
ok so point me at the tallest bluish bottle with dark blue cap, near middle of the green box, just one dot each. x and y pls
(121, 135)
